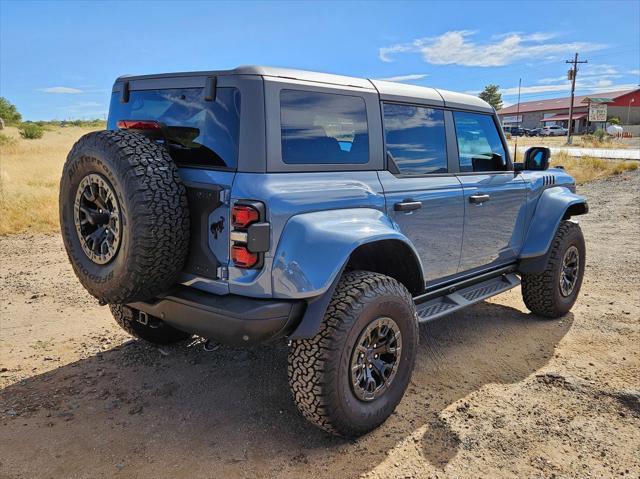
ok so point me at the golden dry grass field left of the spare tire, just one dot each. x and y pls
(29, 176)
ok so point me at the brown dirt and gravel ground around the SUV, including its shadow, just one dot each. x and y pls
(496, 392)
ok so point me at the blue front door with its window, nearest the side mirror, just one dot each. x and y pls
(494, 196)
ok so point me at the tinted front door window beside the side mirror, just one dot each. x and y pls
(479, 144)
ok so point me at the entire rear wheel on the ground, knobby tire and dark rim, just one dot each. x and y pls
(352, 374)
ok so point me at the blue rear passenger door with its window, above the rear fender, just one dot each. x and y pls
(423, 195)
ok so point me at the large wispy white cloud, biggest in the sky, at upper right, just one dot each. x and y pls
(456, 48)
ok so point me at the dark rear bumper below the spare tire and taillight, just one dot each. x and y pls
(229, 319)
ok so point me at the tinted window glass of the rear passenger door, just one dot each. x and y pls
(415, 138)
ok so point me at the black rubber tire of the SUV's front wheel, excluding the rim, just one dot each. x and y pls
(541, 291)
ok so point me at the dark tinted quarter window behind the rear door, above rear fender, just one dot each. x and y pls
(323, 128)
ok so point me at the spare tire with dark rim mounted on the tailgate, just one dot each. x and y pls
(124, 216)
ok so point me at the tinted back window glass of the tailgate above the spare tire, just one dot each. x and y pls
(197, 132)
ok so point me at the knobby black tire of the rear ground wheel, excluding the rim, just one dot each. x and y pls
(319, 368)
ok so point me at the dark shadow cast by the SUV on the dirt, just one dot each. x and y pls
(138, 410)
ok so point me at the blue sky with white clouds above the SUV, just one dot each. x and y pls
(58, 59)
